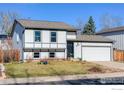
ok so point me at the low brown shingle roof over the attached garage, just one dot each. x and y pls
(92, 38)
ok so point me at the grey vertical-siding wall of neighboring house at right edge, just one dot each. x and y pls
(118, 37)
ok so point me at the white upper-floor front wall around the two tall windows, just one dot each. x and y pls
(45, 39)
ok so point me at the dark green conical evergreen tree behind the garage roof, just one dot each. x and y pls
(89, 27)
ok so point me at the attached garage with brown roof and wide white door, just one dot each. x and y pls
(93, 48)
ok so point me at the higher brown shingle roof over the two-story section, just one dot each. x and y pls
(41, 24)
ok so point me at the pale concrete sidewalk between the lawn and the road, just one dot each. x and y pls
(34, 80)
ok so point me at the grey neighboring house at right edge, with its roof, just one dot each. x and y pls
(116, 34)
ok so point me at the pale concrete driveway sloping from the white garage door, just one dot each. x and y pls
(115, 65)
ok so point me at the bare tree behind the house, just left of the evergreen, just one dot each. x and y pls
(79, 25)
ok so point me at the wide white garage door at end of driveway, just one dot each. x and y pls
(96, 53)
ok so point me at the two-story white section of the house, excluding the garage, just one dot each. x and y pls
(42, 39)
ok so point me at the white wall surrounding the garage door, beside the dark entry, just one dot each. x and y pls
(78, 48)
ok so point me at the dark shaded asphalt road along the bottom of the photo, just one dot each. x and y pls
(105, 81)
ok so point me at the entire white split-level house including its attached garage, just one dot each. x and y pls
(38, 39)
